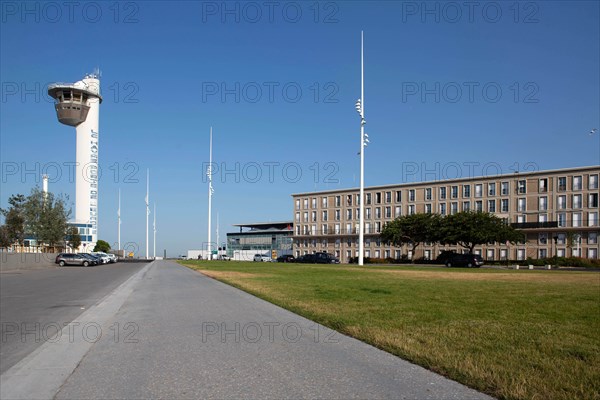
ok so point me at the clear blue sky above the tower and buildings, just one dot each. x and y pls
(451, 88)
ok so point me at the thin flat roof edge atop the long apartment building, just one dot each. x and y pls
(453, 180)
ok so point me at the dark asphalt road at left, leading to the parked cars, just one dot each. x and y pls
(34, 304)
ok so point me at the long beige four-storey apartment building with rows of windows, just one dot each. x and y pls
(557, 209)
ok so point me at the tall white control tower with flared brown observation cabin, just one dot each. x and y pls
(78, 104)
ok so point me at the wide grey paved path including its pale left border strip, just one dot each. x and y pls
(170, 332)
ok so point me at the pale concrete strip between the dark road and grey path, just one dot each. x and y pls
(41, 374)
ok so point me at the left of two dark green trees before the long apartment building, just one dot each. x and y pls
(412, 230)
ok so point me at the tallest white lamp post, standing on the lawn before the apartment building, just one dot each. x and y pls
(364, 140)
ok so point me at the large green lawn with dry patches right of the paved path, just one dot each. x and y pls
(511, 334)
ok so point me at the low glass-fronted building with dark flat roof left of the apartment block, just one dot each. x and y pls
(273, 238)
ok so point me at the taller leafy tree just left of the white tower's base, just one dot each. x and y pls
(46, 217)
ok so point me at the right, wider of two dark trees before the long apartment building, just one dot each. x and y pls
(471, 228)
